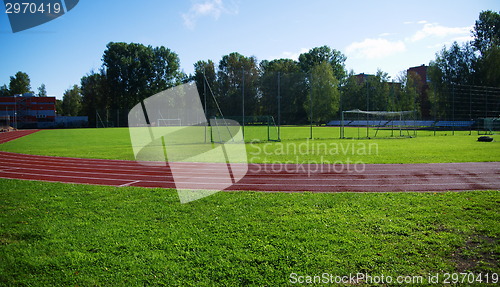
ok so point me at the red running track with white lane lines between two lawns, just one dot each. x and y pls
(260, 177)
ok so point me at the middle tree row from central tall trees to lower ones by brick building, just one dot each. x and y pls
(317, 86)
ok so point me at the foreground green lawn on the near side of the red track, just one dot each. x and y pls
(78, 235)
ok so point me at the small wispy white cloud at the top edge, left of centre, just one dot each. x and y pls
(212, 8)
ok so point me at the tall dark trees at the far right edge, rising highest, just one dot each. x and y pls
(474, 63)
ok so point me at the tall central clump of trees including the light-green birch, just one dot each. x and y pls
(262, 87)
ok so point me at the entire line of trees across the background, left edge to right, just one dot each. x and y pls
(316, 87)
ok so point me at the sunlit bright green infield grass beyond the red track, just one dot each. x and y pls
(114, 143)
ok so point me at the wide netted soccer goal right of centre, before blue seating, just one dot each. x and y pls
(378, 124)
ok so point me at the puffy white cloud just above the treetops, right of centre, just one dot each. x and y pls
(374, 48)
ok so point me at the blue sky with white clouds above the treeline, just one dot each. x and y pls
(389, 35)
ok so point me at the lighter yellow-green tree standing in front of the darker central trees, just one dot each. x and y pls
(325, 94)
